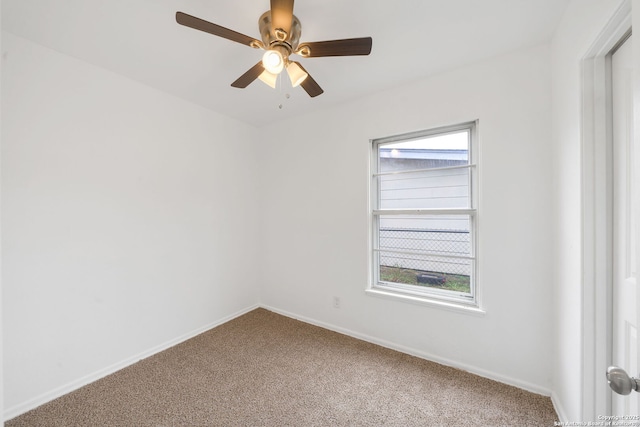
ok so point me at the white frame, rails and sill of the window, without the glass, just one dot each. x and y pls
(411, 293)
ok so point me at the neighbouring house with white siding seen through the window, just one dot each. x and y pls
(443, 235)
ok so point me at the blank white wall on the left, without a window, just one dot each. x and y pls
(128, 221)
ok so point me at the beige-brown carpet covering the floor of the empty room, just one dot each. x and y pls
(263, 369)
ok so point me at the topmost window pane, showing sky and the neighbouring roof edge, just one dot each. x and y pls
(435, 151)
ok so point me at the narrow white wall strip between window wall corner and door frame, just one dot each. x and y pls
(582, 22)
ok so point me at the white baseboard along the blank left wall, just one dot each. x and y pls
(17, 410)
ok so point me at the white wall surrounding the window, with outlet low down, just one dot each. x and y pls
(316, 218)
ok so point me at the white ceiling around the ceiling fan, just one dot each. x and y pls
(411, 39)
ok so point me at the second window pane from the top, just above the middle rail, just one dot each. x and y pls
(425, 189)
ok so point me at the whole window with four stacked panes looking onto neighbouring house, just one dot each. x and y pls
(424, 215)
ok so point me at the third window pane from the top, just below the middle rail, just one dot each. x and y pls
(442, 235)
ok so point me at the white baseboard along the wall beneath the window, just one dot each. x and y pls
(418, 353)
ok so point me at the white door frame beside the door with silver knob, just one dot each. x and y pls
(597, 229)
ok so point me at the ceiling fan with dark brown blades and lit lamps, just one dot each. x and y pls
(280, 32)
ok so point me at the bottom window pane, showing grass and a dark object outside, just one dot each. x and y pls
(426, 271)
